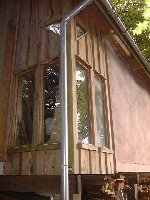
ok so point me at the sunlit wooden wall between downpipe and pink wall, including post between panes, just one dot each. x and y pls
(90, 51)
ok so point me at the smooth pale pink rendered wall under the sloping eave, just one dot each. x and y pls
(130, 103)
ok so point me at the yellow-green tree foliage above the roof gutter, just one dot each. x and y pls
(135, 15)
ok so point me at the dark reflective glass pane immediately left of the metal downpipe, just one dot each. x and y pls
(51, 104)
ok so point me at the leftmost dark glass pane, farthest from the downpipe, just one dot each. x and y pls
(25, 108)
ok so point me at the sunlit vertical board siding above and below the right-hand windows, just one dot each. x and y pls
(91, 51)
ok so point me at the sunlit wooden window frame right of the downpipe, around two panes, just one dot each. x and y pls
(91, 74)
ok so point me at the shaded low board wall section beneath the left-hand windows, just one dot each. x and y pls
(44, 162)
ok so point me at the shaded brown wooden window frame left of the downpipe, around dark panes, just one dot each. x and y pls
(38, 124)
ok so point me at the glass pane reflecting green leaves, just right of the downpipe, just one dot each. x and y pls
(82, 104)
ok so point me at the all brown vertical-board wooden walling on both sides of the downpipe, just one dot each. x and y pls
(29, 45)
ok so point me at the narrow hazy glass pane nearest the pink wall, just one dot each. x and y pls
(99, 111)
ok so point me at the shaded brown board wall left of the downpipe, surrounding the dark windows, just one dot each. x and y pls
(25, 44)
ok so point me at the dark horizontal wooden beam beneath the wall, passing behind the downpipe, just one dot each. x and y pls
(41, 183)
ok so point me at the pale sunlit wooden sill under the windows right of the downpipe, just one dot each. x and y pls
(94, 148)
